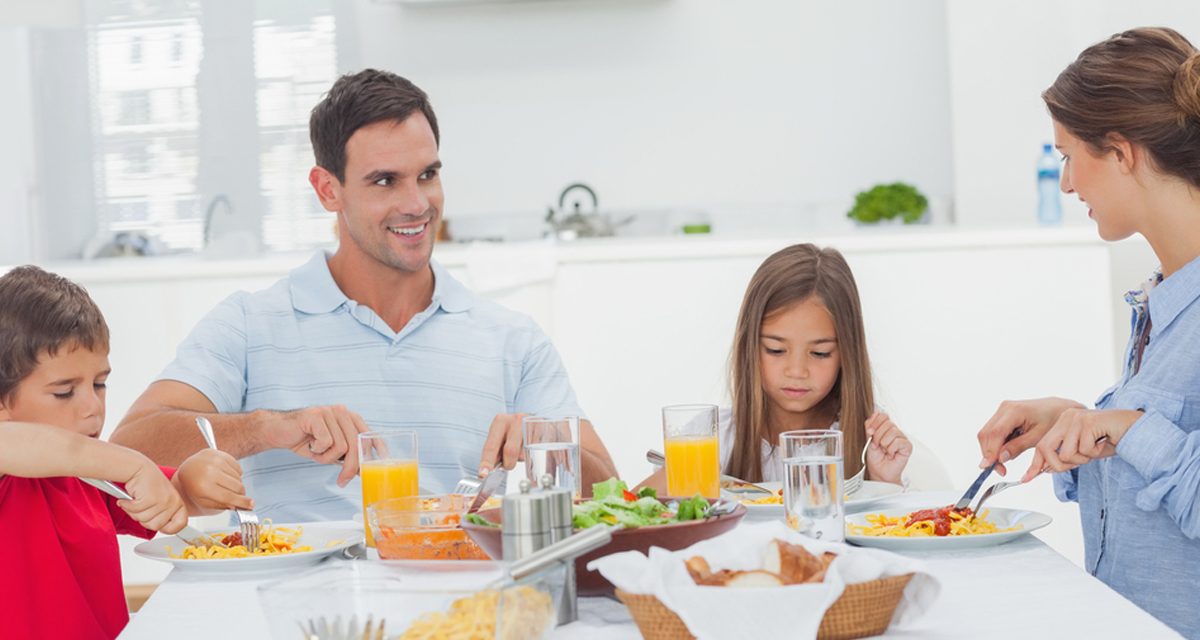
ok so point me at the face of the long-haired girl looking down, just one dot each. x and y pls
(799, 362)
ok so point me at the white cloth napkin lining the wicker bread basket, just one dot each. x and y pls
(790, 612)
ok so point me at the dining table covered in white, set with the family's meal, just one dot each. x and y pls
(1023, 589)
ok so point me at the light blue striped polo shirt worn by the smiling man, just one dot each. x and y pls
(303, 343)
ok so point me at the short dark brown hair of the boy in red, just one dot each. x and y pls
(41, 314)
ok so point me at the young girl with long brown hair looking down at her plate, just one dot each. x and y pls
(800, 362)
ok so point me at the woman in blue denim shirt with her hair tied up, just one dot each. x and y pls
(1127, 122)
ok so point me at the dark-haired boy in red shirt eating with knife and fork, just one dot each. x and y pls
(62, 576)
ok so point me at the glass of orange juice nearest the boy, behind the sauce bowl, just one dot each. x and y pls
(387, 468)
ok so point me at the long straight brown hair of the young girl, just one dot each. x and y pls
(789, 277)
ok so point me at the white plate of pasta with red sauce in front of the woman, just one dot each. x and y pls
(941, 528)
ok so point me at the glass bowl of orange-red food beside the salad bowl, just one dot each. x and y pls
(423, 528)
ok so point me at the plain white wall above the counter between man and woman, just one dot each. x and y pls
(675, 103)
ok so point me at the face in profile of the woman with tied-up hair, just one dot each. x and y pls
(1101, 183)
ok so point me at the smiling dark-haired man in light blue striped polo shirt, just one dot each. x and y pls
(375, 337)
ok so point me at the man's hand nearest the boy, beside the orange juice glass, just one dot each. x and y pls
(328, 435)
